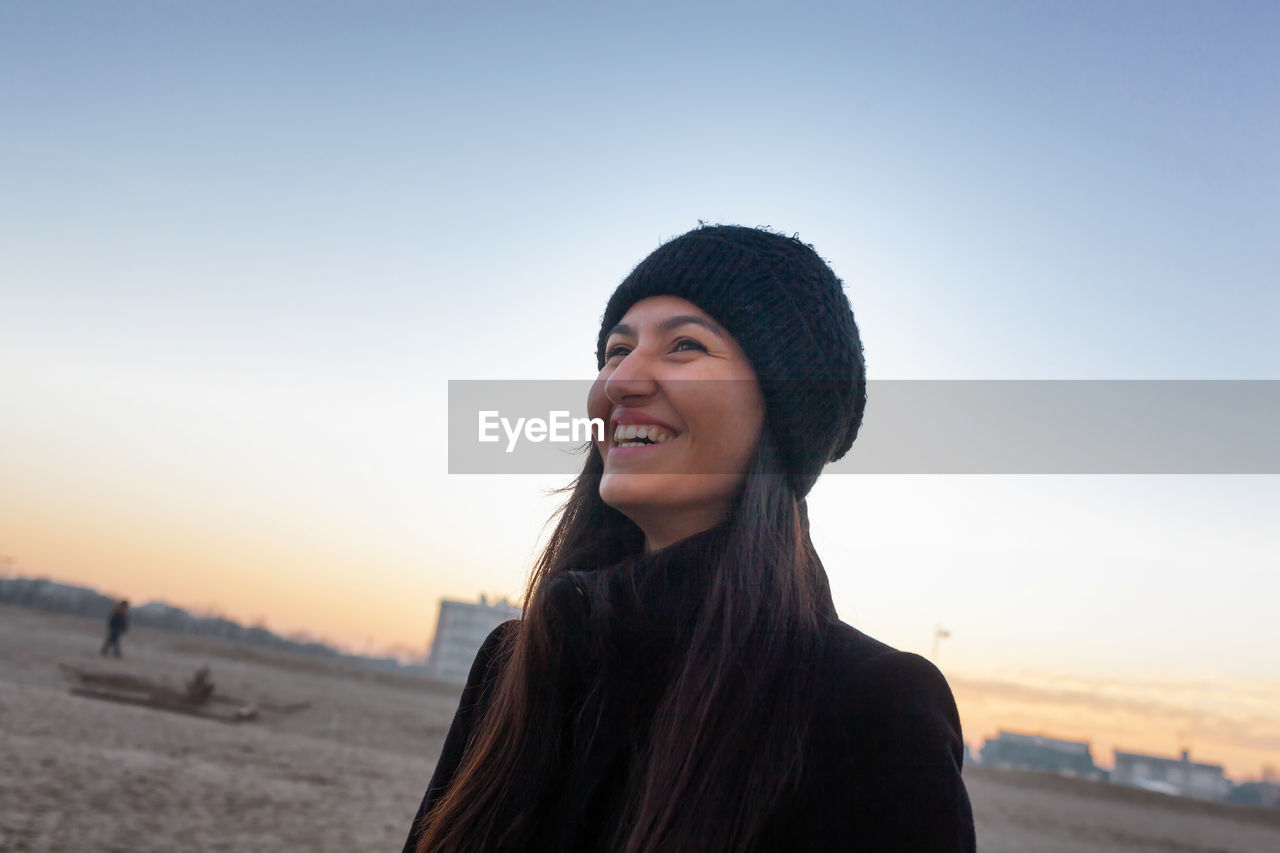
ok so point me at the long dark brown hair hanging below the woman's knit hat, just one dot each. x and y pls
(701, 786)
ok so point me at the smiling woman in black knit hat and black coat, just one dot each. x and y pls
(680, 679)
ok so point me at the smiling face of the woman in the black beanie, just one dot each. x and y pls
(683, 413)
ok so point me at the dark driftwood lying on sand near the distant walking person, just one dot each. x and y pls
(198, 699)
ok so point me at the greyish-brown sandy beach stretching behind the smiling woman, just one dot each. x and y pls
(348, 773)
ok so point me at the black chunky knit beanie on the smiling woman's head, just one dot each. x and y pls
(789, 313)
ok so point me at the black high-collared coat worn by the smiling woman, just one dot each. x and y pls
(884, 756)
